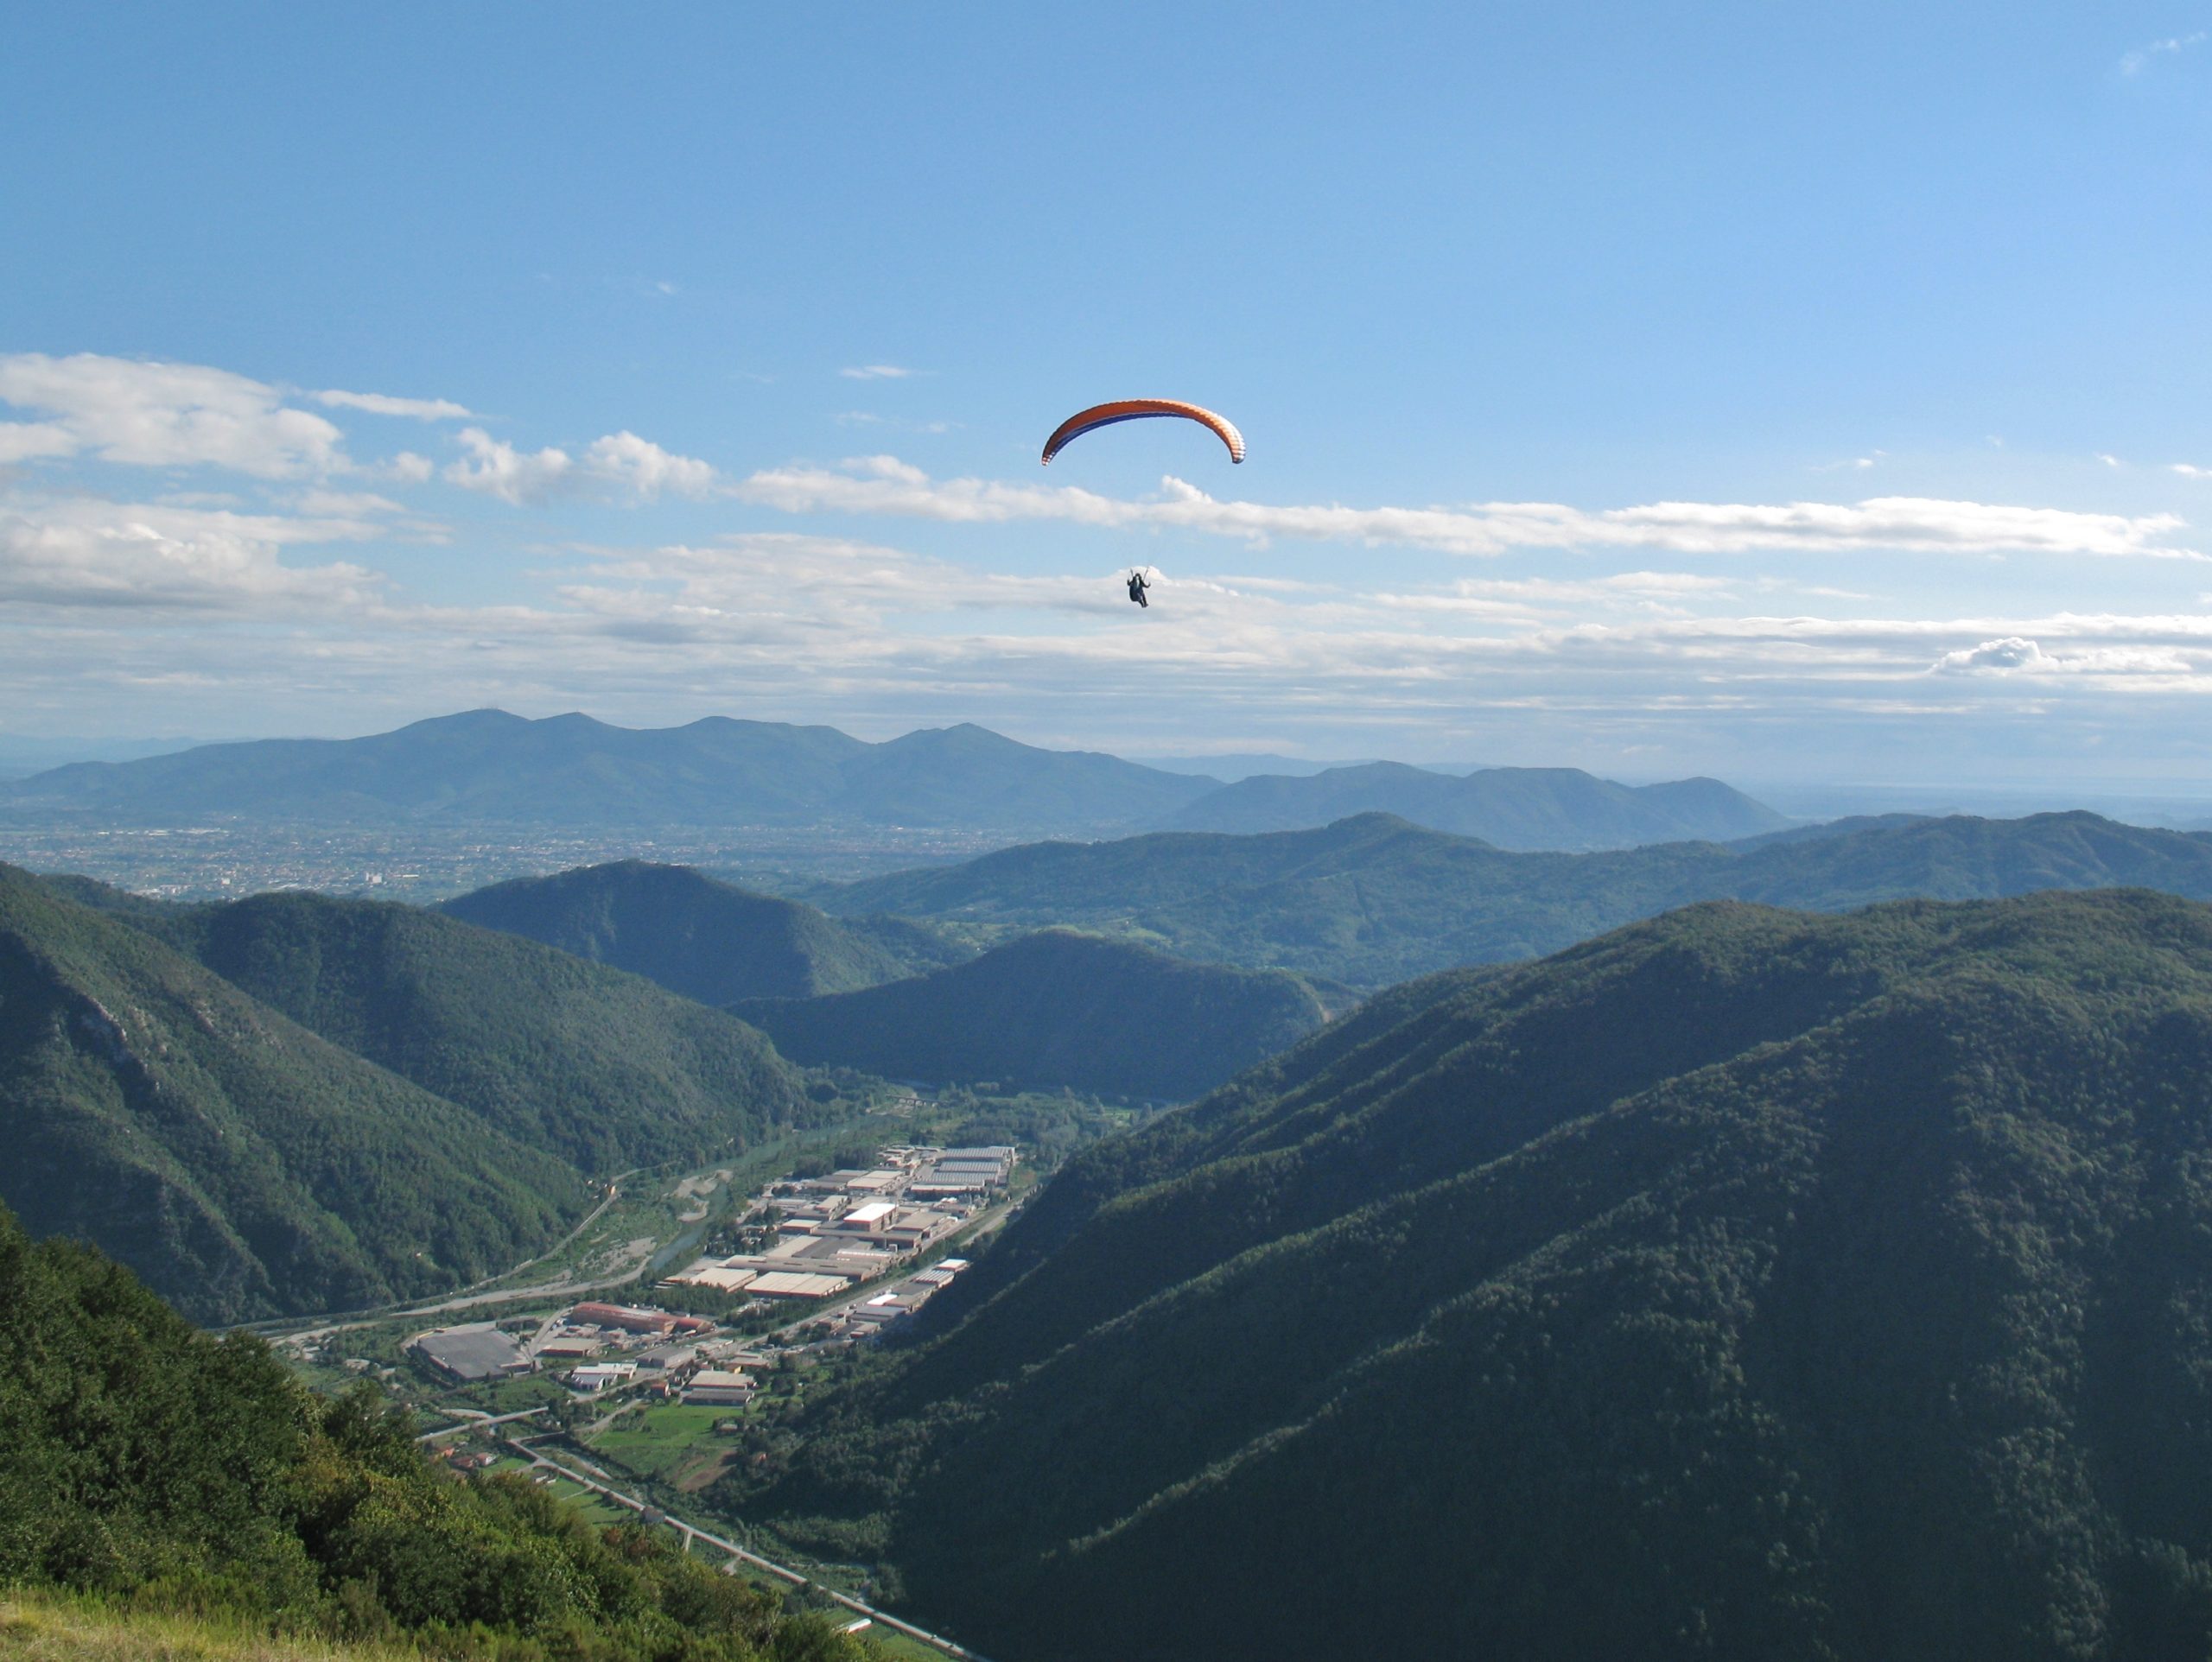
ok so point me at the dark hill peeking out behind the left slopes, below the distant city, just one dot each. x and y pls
(696, 936)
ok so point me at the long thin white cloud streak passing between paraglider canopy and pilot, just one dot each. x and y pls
(884, 485)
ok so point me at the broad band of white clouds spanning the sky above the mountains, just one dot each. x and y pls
(202, 534)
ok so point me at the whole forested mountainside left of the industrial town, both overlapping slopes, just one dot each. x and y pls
(300, 1104)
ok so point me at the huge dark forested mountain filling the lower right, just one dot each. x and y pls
(1740, 1285)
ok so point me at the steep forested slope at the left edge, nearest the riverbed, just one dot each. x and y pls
(242, 1164)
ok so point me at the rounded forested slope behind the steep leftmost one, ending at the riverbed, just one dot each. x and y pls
(567, 1058)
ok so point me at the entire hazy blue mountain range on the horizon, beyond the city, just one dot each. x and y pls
(574, 772)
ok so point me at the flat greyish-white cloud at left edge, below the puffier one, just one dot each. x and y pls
(90, 554)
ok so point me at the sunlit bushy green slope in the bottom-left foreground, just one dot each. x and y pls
(167, 1471)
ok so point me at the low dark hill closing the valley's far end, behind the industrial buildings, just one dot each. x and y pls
(1056, 1009)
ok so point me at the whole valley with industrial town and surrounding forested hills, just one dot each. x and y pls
(1154, 1184)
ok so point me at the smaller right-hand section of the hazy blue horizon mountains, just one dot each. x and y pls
(1512, 808)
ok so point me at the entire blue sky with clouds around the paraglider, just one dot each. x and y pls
(1771, 392)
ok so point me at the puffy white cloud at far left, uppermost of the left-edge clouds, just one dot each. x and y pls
(160, 414)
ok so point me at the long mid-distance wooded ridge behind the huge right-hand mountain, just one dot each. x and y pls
(1375, 901)
